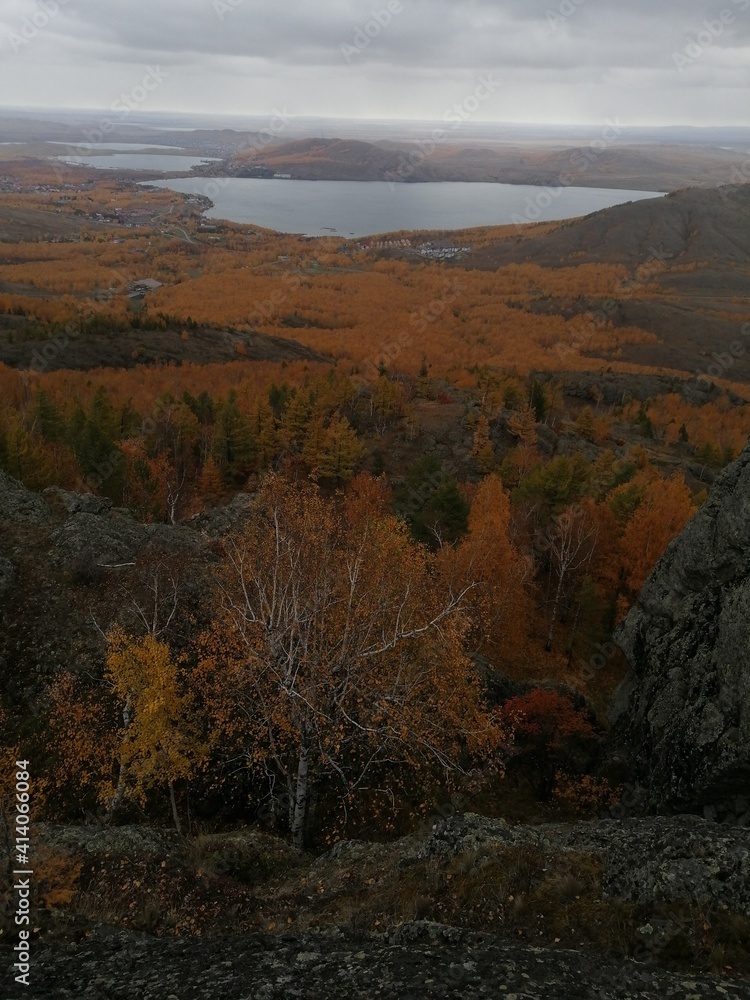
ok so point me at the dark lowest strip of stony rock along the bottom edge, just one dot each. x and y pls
(417, 961)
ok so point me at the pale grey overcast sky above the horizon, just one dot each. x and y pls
(642, 61)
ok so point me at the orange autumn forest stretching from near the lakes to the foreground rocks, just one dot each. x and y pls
(392, 509)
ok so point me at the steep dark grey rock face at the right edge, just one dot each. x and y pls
(681, 720)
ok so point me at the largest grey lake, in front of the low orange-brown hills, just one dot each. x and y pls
(357, 209)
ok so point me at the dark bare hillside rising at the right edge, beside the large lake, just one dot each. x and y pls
(688, 256)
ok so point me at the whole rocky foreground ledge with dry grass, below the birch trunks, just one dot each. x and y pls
(634, 907)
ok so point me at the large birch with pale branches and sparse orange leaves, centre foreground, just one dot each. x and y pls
(335, 651)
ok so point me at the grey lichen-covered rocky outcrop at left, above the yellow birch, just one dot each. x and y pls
(71, 561)
